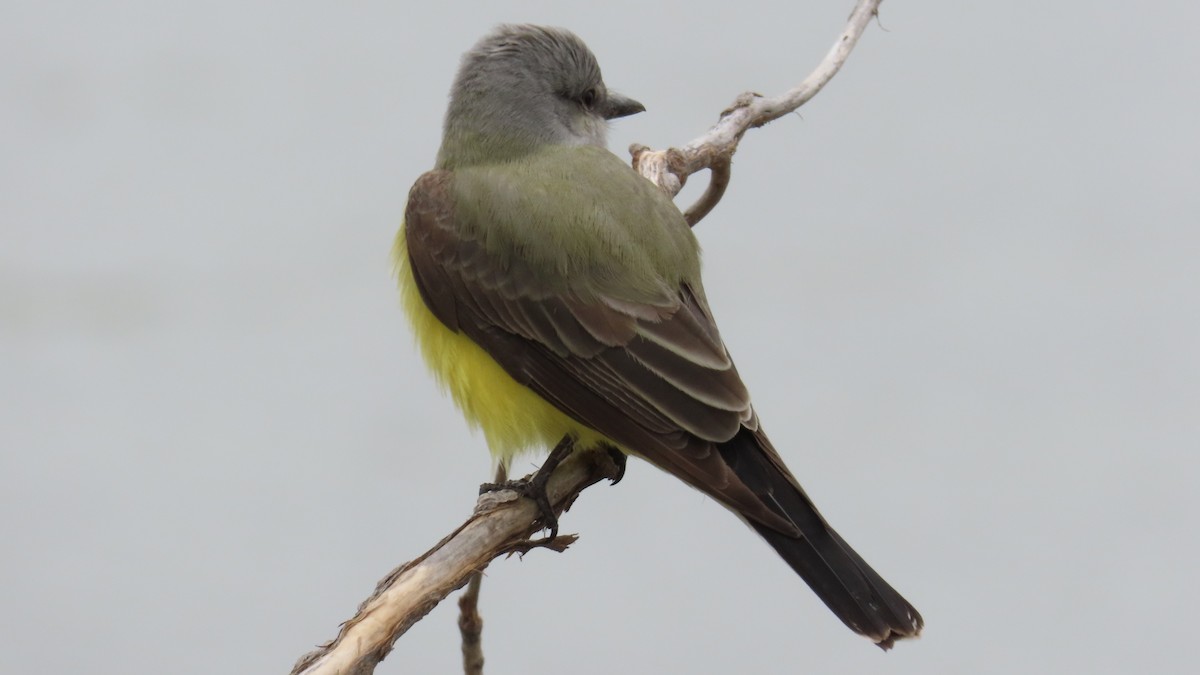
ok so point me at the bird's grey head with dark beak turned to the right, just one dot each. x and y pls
(524, 87)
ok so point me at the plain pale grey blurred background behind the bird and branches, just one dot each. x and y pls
(961, 286)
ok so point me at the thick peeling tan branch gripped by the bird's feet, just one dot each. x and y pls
(502, 524)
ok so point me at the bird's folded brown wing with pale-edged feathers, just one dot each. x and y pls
(645, 368)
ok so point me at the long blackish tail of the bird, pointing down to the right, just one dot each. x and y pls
(838, 575)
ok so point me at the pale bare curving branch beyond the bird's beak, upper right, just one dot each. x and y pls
(715, 151)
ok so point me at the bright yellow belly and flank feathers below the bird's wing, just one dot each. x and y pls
(514, 420)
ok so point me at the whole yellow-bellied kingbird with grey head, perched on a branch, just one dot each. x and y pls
(556, 295)
